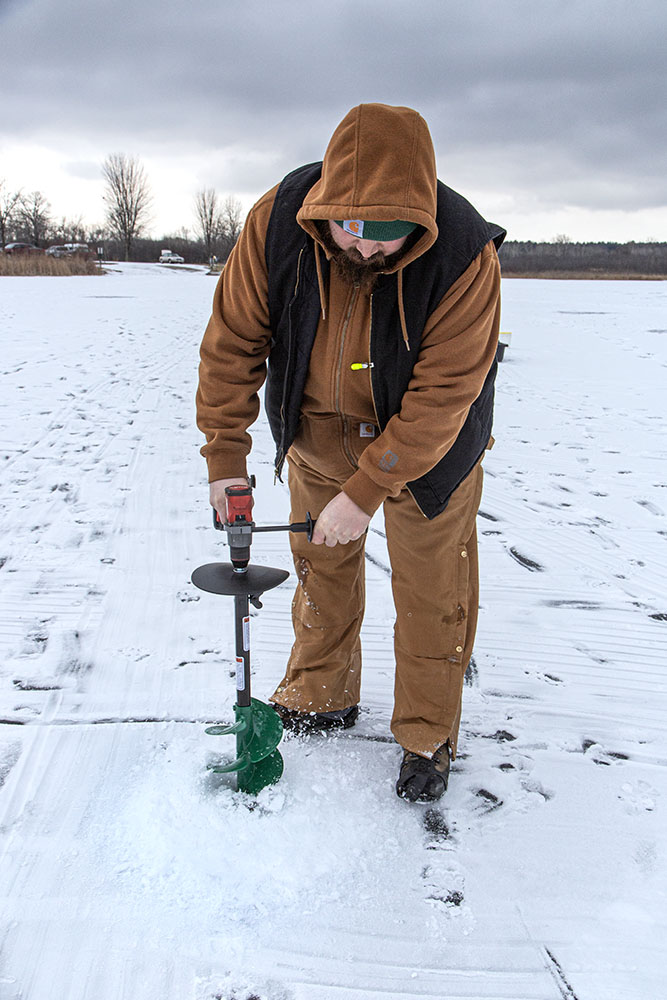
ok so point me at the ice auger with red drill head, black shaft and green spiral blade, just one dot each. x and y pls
(257, 727)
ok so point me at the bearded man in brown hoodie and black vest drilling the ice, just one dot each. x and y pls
(372, 291)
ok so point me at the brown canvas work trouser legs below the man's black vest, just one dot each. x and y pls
(435, 588)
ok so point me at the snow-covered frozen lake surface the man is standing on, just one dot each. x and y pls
(128, 874)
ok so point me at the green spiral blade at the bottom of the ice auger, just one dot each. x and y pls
(258, 731)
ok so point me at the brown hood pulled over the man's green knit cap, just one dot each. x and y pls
(378, 165)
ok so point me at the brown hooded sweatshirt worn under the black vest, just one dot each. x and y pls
(379, 165)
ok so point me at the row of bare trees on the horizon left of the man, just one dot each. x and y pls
(127, 198)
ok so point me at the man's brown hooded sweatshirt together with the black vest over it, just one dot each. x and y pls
(438, 305)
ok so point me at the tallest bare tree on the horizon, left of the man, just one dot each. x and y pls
(127, 198)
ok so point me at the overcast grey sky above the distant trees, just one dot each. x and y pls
(551, 117)
